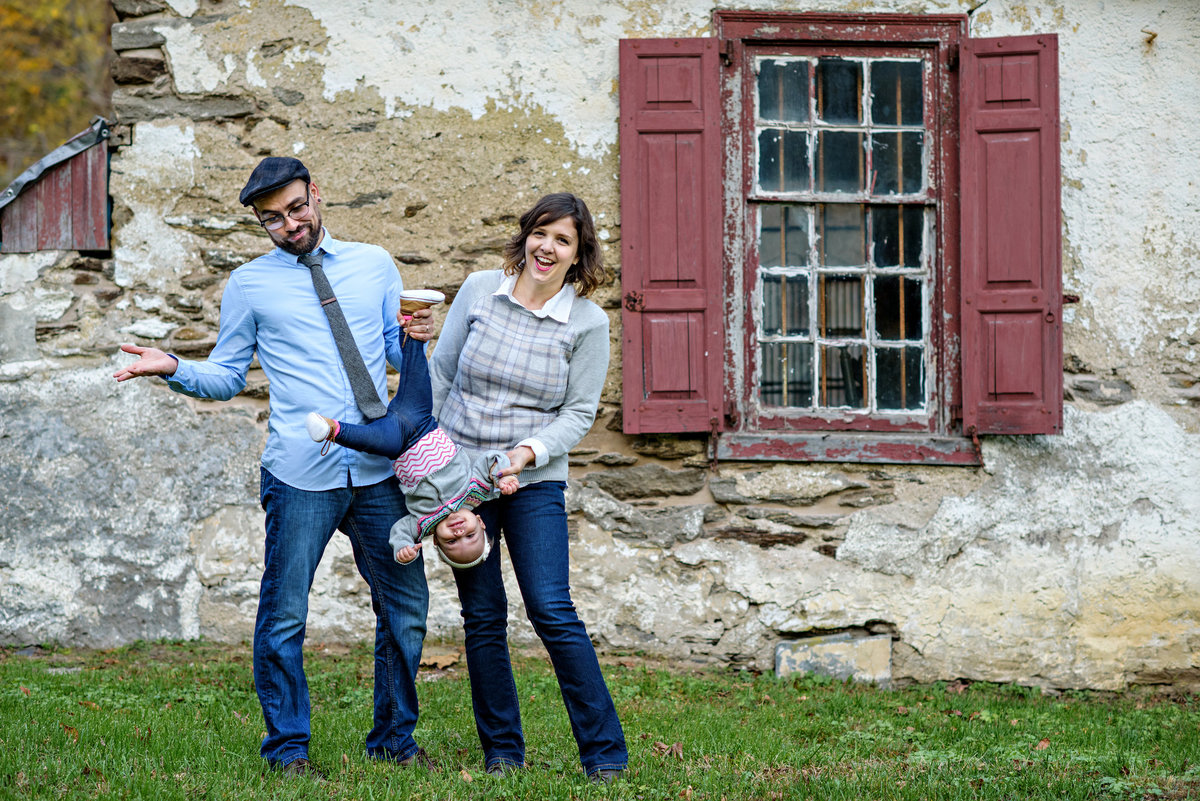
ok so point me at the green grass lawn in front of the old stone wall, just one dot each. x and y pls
(182, 721)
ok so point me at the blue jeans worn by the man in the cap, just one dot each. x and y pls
(299, 526)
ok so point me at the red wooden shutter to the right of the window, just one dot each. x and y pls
(1012, 249)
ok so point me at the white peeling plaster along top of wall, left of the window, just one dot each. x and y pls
(560, 58)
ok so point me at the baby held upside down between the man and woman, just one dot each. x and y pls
(442, 485)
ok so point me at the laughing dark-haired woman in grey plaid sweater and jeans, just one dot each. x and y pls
(519, 366)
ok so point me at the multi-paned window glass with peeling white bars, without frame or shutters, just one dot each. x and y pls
(839, 204)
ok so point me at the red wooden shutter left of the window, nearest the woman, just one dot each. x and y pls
(671, 236)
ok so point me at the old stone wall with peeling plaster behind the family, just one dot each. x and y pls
(1069, 562)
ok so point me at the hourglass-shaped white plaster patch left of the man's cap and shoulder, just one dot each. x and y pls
(151, 176)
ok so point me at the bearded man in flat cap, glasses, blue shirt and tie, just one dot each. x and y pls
(275, 306)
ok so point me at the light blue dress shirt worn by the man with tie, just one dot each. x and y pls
(271, 306)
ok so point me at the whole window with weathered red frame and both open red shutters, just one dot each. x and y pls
(808, 272)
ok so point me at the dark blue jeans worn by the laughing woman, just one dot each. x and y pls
(535, 526)
